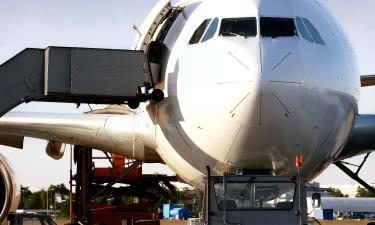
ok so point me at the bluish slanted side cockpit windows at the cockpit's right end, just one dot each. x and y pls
(308, 31)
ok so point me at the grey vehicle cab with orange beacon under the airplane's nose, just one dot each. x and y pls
(255, 200)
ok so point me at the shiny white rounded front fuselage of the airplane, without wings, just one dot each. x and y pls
(235, 102)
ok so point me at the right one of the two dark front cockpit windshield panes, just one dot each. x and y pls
(277, 27)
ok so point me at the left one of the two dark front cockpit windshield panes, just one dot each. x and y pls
(243, 26)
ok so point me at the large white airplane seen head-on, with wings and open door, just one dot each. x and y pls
(248, 84)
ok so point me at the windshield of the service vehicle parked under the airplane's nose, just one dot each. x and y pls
(255, 195)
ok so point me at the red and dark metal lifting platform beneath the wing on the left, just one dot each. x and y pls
(98, 200)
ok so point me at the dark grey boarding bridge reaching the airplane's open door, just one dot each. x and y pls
(77, 75)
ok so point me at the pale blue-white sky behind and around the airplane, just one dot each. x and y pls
(108, 24)
